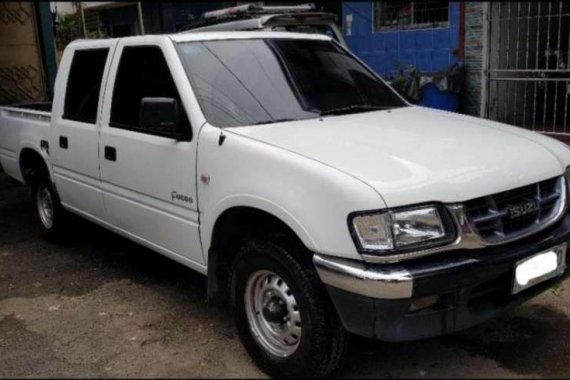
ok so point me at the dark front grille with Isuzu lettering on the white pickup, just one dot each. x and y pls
(516, 212)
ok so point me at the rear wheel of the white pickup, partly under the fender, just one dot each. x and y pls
(51, 218)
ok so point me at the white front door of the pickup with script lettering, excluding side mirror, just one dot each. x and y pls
(149, 177)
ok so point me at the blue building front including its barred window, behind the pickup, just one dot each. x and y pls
(390, 35)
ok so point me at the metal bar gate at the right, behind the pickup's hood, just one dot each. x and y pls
(528, 57)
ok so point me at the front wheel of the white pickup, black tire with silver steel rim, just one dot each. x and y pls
(316, 340)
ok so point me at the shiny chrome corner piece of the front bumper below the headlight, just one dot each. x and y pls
(355, 277)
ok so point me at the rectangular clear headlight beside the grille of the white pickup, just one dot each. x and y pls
(404, 229)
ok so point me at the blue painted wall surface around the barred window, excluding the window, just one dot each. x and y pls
(425, 49)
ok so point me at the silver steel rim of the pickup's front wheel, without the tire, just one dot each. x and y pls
(268, 298)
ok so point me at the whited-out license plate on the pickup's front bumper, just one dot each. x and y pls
(540, 267)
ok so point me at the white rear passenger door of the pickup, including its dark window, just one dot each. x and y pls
(74, 135)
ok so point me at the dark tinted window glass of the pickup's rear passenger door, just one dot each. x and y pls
(84, 85)
